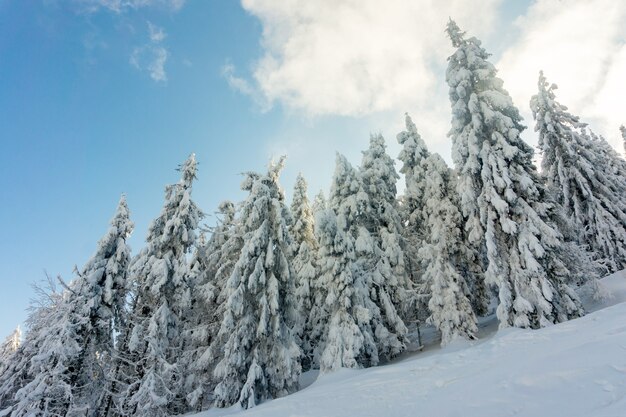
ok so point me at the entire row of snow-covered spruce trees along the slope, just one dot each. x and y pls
(235, 315)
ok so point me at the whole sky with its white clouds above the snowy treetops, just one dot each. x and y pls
(100, 97)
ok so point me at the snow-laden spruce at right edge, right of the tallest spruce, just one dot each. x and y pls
(577, 176)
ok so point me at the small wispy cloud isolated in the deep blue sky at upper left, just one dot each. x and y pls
(152, 56)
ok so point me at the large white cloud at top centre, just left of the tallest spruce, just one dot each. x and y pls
(347, 57)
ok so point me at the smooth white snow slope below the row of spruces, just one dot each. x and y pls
(572, 369)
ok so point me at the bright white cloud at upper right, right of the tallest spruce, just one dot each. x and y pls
(580, 46)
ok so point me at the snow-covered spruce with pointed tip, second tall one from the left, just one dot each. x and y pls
(160, 273)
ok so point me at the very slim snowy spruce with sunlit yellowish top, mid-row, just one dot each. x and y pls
(304, 266)
